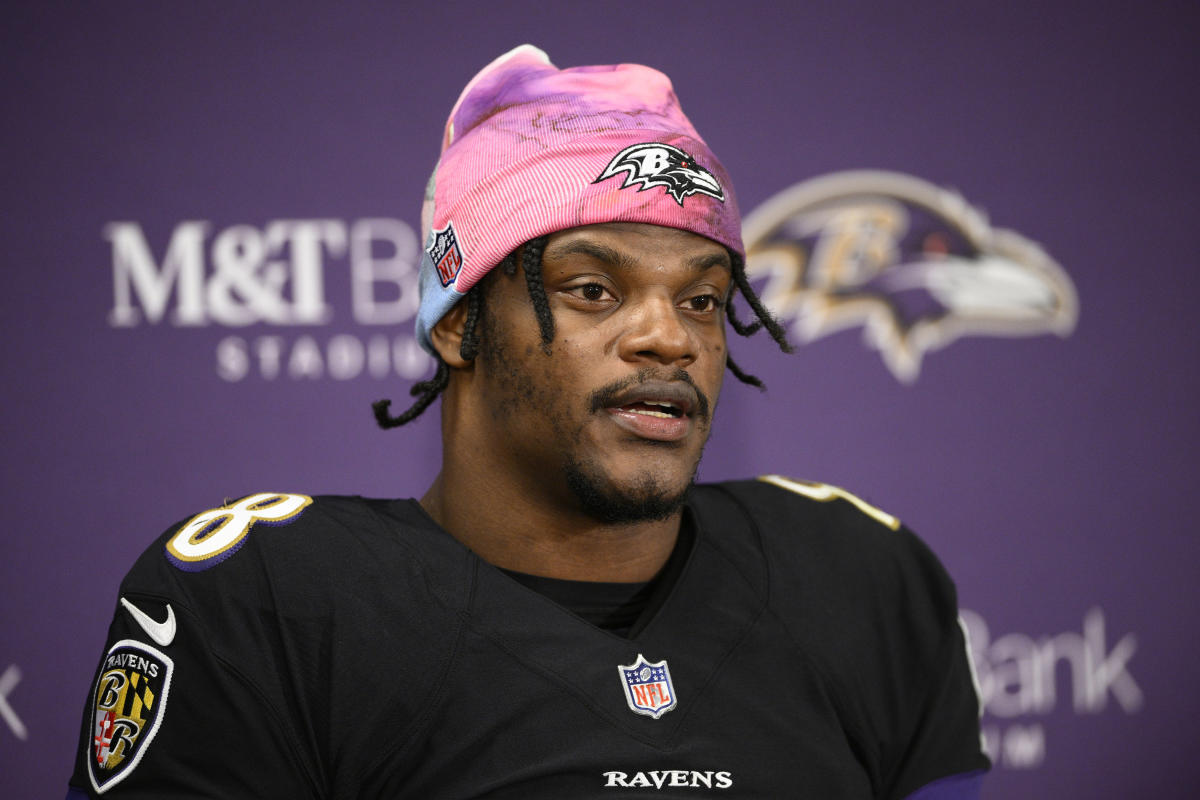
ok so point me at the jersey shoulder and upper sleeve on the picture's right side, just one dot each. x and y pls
(869, 607)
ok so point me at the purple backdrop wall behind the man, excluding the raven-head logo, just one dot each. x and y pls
(1051, 473)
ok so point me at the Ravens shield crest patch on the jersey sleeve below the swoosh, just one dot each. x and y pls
(128, 707)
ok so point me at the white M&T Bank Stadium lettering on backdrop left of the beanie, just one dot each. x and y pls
(281, 276)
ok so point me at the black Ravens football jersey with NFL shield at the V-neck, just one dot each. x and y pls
(287, 647)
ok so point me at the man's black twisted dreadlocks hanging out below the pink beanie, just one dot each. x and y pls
(530, 257)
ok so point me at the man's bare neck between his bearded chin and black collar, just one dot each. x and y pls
(509, 531)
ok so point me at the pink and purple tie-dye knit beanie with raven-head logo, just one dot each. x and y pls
(531, 149)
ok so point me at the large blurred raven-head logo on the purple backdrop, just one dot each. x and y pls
(914, 264)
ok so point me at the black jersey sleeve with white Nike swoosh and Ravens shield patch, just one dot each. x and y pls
(169, 717)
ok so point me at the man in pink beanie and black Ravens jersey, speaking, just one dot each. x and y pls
(562, 615)
